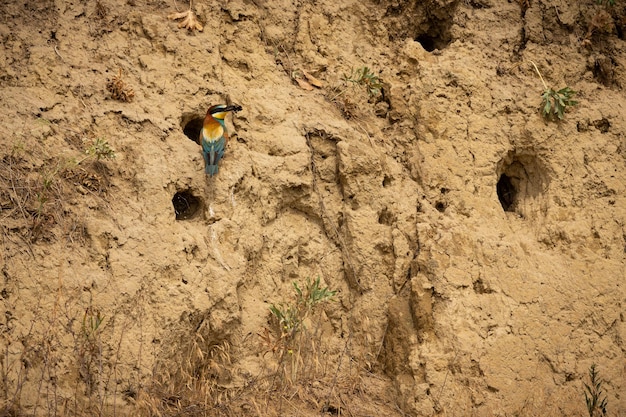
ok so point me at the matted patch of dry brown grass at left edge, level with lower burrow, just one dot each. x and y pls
(35, 188)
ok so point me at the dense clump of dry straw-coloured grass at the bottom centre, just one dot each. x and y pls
(195, 374)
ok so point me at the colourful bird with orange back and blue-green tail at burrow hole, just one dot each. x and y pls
(214, 137)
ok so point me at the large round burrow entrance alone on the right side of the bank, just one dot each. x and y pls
(523, 181)
